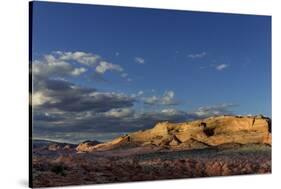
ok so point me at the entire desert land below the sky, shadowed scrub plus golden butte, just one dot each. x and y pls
(214, 146)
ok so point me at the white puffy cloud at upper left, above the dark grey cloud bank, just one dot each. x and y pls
(63, 64)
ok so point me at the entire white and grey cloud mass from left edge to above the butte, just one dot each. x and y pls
(65, 111)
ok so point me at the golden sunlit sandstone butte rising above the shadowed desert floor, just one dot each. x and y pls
(198, 134)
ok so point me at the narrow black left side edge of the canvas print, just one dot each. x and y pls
(30, 20)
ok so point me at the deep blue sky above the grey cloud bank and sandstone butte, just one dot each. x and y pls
(195, 59)
